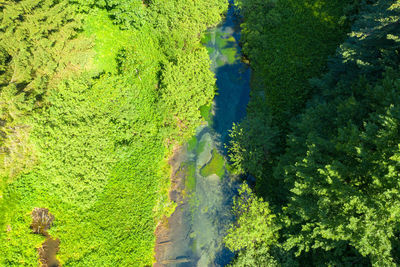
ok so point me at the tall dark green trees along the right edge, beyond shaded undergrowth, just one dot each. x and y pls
(343, 151)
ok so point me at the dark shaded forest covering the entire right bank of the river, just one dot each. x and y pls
(321, 137)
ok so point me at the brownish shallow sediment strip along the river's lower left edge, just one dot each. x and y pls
(166, 235)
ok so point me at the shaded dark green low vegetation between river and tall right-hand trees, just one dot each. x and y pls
(287, 43)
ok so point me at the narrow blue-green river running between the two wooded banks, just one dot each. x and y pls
(204, 213)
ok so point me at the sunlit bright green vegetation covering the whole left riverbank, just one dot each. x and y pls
(94, 95)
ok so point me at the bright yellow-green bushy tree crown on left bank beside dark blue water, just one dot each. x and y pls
(179, 76)
